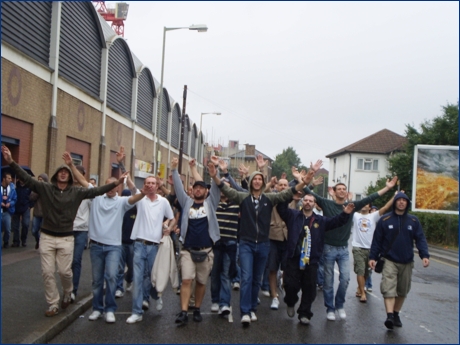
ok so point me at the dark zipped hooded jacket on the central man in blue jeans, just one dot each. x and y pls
(255, 223)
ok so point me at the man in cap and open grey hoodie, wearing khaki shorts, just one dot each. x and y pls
(199, 230)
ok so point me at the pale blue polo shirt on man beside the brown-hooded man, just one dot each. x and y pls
(106, 219)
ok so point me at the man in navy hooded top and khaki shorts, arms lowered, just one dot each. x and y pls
(395, 235)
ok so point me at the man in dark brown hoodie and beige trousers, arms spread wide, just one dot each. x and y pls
(61, 200)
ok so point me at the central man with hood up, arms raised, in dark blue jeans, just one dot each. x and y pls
(256, 209)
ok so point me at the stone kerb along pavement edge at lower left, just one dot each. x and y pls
(63, 320)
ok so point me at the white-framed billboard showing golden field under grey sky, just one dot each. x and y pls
(435, 179)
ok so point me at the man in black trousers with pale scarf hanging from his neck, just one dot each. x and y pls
(305, 244)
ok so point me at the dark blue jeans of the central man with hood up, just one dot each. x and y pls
(253, 259)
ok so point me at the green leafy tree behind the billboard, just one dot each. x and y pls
(442, 130)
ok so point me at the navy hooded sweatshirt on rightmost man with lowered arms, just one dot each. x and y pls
(406, 228)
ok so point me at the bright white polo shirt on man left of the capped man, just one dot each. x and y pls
(149, 219)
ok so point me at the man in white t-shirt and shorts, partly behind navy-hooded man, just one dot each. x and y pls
(363, 229)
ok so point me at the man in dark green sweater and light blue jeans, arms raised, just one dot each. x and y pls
(336, 246)
